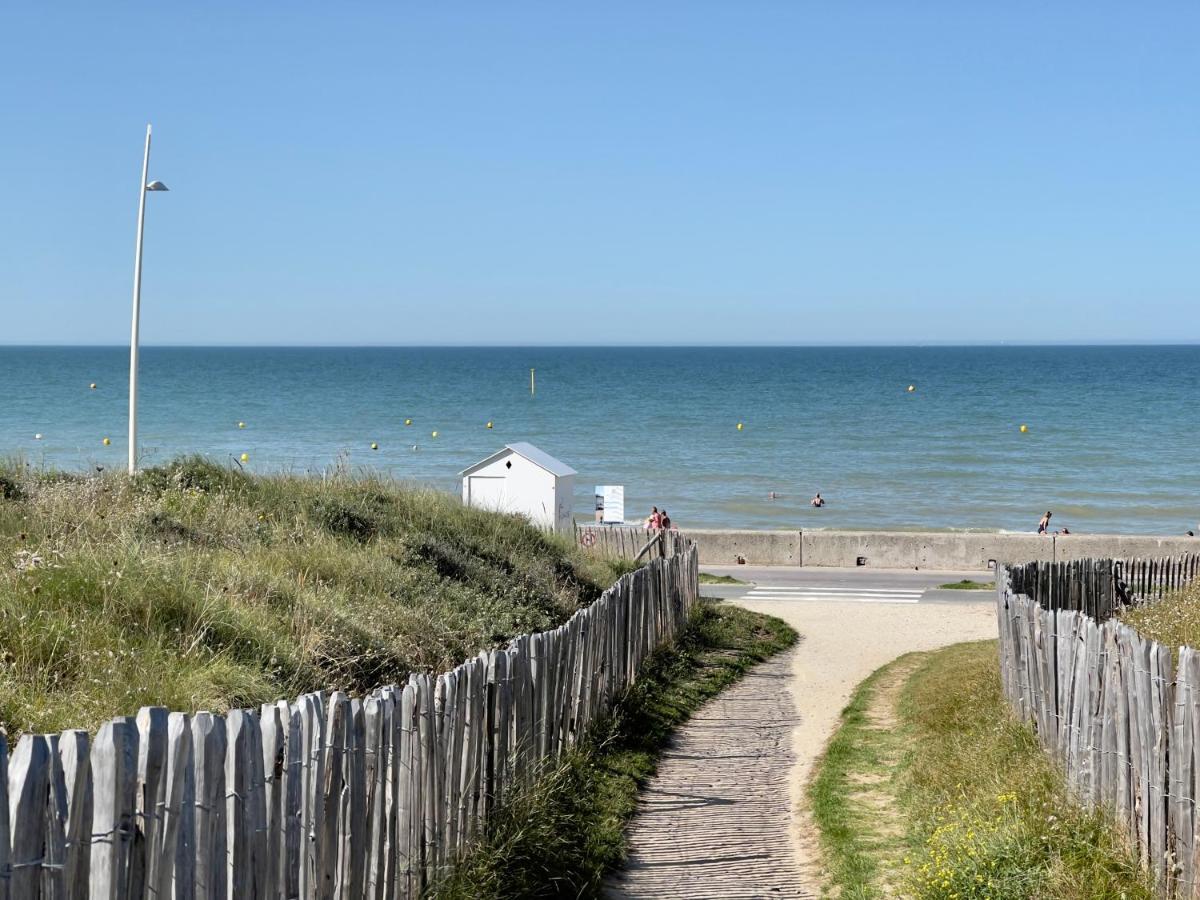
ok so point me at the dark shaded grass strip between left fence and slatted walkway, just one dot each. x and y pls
(563, 836)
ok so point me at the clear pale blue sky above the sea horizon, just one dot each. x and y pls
(614, 173)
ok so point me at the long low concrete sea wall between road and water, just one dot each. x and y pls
(922, 550)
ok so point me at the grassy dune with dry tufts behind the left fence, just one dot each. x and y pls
(199, 587)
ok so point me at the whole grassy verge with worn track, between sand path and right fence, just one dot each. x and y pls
(959, 800)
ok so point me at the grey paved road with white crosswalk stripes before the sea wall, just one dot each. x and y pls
(863, 586)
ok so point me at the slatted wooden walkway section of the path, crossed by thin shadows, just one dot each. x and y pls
(716, 820)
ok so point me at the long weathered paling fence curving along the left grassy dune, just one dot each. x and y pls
(327, 796)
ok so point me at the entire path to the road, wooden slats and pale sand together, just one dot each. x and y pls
(725, 815)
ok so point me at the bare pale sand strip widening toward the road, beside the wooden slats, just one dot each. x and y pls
(843, 645)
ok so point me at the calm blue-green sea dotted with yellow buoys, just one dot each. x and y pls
(1112, 445)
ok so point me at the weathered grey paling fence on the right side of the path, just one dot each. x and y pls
(1120, 715)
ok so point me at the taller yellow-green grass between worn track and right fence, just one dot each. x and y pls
(991, 813)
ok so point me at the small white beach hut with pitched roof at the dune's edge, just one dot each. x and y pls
(523, 479)
